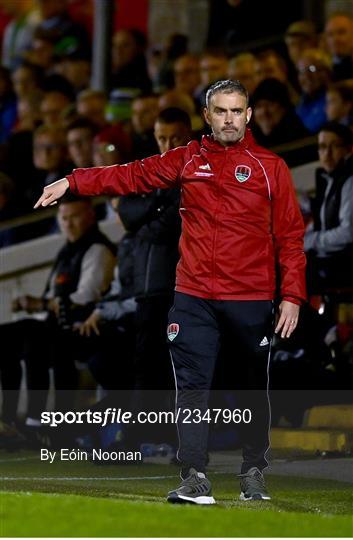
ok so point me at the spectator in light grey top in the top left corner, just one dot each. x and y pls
(19, 31)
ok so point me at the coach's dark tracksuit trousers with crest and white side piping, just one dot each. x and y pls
(195, 332)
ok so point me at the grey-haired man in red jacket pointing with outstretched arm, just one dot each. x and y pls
(241, 222)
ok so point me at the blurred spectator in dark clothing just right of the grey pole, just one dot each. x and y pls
(129, 67)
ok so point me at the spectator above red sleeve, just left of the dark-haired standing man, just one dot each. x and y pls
(144, 112)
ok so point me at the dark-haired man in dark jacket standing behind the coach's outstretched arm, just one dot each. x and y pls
(155, 221)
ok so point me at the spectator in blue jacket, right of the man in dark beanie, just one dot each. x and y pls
(314, 75)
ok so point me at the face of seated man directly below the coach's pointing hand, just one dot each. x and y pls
(75, 218)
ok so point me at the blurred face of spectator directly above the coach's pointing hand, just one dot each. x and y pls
(49, 152)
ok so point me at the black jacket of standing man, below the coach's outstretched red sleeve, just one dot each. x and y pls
(155, 220)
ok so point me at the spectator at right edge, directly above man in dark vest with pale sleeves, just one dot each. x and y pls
(339, 103)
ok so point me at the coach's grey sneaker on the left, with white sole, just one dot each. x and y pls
(195, 489)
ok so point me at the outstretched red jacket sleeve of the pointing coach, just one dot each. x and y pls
(160, 171)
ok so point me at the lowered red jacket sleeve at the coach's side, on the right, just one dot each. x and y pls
(288, 234)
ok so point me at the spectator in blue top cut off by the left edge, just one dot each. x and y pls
(8, 111)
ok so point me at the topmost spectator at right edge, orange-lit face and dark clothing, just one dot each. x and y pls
(339, 42)
